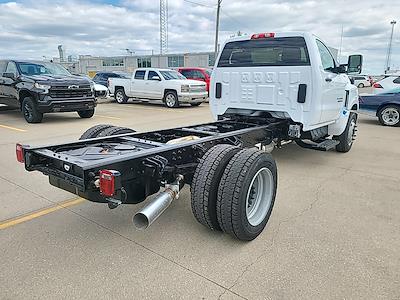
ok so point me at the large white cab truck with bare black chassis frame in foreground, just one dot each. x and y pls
(266, 89)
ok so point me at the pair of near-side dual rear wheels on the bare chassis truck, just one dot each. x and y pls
(234, 190)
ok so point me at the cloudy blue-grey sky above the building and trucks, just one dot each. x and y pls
(34, 28)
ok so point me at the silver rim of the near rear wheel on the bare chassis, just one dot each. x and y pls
(259, 196)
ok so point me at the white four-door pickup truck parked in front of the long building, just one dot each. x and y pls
(165, 85)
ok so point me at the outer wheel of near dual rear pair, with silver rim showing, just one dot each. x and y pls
(246, 194)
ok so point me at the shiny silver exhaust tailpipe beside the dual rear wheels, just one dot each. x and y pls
(145, 217)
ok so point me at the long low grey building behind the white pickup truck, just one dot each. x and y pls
(90, 65)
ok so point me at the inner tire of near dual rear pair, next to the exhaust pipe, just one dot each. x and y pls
(204, 188)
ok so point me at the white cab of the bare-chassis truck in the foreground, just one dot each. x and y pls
(291, 76)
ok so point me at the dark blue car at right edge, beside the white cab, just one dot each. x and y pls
(386, 106)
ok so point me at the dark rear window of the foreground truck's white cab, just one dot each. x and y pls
(289, 51)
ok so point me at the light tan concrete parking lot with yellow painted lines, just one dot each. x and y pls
(334, 232)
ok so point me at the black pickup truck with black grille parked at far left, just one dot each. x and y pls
(38, 87)
